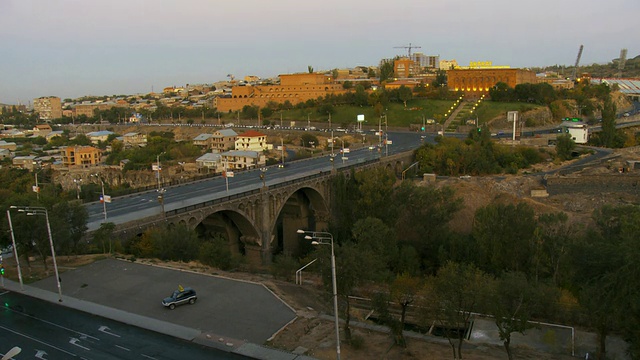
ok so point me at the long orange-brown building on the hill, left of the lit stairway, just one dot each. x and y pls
(295, 88)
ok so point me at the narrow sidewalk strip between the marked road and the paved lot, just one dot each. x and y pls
(234, 346)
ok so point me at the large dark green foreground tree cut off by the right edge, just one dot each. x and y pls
(604, 260)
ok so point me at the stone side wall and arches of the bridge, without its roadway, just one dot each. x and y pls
(263, 222)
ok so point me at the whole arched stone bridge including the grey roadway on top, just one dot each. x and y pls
(258, 216)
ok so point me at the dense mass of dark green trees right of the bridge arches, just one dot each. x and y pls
(515, 265)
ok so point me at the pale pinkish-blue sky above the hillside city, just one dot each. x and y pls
(74, 48)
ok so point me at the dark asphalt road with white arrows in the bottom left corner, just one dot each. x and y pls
(45, 330)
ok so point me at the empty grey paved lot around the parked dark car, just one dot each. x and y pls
(225, 308)
